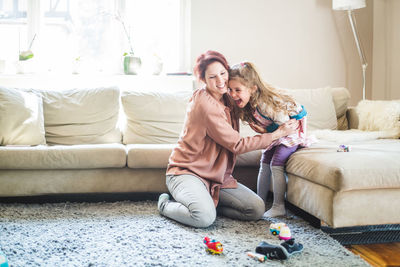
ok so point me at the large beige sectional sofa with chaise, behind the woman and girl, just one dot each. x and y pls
(104, 140)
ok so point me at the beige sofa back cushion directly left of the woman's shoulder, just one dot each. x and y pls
(154, 117)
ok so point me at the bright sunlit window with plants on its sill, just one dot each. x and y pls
(95, 34)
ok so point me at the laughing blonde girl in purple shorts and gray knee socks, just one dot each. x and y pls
(265, 108)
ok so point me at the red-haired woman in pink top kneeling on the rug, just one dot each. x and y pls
(199, 173)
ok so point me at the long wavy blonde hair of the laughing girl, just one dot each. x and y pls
(278, 101)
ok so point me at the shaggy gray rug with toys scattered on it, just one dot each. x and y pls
(134, 234)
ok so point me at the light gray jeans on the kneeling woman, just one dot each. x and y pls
(194, 206)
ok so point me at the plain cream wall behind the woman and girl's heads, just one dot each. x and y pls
(295, 44)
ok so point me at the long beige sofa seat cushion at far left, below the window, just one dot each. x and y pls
(63, 157)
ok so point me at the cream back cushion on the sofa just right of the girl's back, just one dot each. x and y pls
(319, 105)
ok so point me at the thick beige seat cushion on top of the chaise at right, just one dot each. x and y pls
(369, 165)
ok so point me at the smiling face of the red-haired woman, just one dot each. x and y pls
(216, 79)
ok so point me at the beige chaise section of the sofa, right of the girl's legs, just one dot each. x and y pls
(343, 189)
